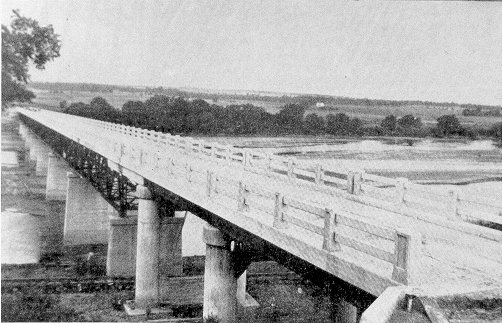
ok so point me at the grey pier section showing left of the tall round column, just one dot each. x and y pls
(121, 256)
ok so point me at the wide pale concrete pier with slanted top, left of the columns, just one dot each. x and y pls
(86, 213)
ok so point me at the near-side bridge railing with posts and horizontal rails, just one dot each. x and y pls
(286, 210)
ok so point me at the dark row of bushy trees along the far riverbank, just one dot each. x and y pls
(177, 115)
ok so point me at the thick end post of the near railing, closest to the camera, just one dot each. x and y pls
(408, 253)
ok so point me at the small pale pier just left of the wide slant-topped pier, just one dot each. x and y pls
(57, 169)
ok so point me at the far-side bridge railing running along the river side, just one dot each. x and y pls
(407, 196)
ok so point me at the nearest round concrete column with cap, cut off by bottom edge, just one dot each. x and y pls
(220, 283)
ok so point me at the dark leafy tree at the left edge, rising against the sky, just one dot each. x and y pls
(24, 42)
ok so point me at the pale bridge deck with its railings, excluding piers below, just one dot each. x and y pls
(365, 240)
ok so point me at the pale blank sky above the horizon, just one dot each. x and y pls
(426, 50)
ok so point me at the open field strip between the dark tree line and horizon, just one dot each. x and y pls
(370, 115)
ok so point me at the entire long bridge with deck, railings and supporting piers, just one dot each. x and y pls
(387, 237)
